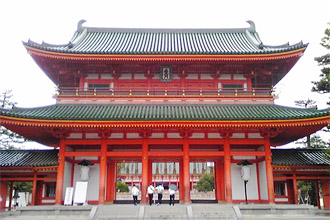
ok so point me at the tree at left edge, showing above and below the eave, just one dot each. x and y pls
(7, 137)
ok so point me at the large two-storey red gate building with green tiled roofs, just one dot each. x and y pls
(152, 96)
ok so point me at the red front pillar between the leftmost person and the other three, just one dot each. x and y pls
(145, 172)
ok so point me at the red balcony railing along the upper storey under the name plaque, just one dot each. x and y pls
(162, 92)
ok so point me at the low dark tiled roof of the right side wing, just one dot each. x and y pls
(300, 157)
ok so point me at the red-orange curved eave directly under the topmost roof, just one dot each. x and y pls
(165, 57)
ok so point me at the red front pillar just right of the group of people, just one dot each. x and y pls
(186, 171)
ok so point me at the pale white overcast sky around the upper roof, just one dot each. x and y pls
(277, 22)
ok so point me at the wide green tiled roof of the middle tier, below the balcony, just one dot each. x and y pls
(146, 112)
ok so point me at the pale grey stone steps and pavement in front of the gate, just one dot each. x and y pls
(164, 211)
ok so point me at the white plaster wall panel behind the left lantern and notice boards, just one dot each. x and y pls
(93, 183)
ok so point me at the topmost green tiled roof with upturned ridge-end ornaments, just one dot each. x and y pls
(87, 40)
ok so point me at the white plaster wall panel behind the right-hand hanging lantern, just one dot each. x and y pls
(238, 183)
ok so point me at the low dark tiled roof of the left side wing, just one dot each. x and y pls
(28, 158)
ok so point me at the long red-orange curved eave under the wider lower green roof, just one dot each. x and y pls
(78, 124)
